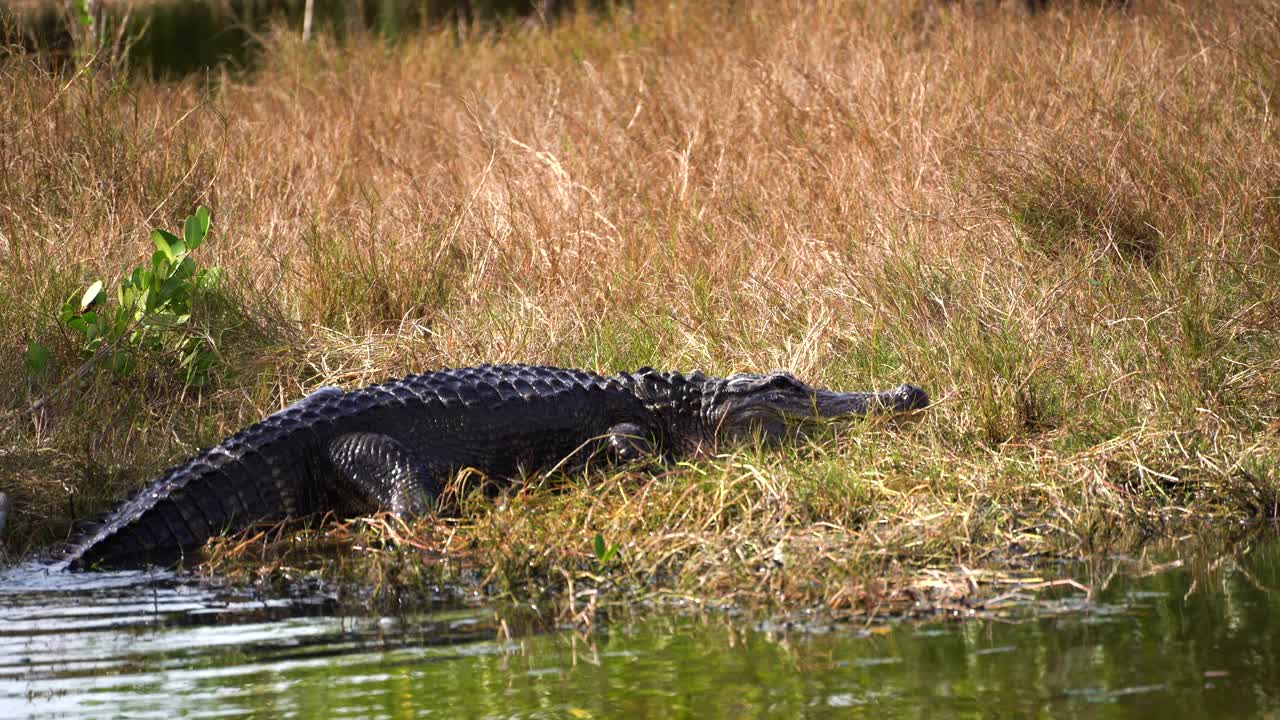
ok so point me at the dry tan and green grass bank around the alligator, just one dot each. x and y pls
(1064, 226)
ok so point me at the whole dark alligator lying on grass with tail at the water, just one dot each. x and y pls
(394, 446)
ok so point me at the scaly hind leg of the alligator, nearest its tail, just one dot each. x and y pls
(385, 473)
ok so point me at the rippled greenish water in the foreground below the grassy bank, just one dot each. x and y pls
(1199, 639)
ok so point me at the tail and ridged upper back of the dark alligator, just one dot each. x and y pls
(271, 468)
